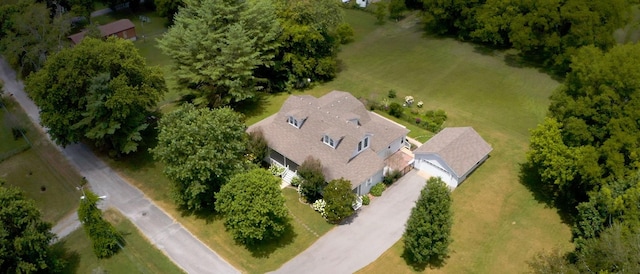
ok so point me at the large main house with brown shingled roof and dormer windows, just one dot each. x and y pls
(350, 141)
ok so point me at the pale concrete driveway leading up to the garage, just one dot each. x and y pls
(352, 246)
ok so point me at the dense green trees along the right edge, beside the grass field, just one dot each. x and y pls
(585, 157)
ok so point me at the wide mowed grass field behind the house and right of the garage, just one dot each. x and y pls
(498, 224)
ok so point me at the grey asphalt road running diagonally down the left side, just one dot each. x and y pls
(163, 231)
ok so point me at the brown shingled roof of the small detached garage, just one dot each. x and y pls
(460, 147)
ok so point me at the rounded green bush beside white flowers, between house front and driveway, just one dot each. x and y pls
(339, 199)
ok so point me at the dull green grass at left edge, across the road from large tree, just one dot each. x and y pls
(41, 166)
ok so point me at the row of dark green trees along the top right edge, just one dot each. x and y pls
(548, 31)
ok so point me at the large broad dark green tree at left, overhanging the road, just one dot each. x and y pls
(100, 91)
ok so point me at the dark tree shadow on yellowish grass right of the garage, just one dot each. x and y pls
(543, 193)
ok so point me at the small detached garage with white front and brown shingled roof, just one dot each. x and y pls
(452, 154)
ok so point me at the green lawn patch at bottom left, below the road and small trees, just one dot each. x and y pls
(138, 255)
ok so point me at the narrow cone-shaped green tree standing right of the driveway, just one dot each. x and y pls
(428, 230)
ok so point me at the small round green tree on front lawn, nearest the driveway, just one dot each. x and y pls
(254, 207)
